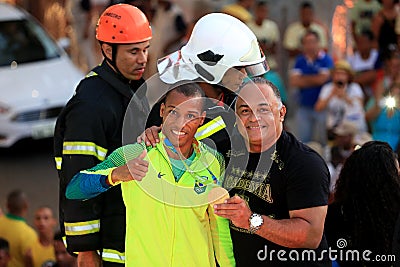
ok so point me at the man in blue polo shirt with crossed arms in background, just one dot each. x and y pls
(311, 71)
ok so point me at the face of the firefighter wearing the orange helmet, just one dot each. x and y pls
(131, 58)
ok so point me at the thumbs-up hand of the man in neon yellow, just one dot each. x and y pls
(135, 169)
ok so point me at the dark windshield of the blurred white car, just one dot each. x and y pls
(23, 41)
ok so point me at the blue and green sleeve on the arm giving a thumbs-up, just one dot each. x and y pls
(89, 183)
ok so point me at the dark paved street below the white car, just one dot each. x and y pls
(30, 166)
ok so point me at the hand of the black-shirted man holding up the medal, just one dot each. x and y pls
(236, 210)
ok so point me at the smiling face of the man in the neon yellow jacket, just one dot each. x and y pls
(182, 115)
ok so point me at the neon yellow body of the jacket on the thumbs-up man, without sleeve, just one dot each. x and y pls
(173, 223)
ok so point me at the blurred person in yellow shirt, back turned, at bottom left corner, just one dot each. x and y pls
(14, 228)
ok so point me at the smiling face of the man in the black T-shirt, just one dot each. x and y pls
(260, 116)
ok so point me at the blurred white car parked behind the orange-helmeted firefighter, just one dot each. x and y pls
(37, 78)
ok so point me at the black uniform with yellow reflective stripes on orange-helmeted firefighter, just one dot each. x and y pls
(87, 130)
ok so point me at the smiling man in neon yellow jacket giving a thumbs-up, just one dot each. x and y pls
(169, 191)
